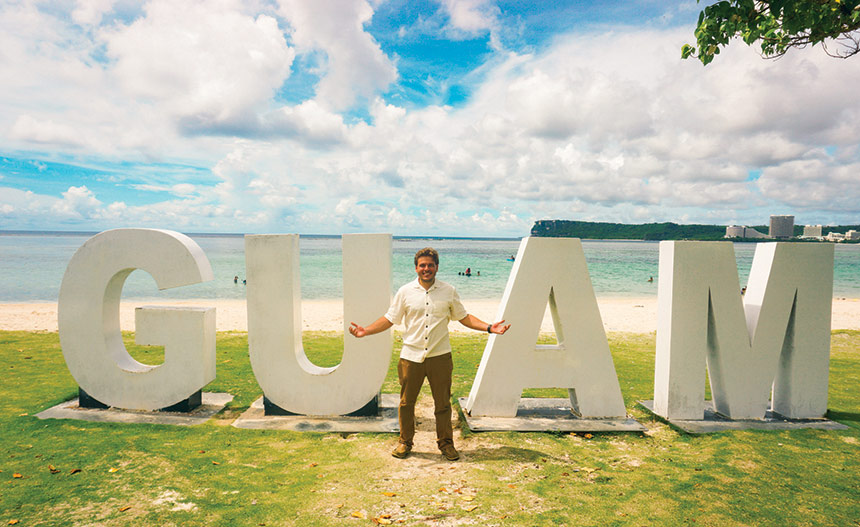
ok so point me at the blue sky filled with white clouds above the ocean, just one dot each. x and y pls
(438, 117)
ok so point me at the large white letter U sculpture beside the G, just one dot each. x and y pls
(288, 378)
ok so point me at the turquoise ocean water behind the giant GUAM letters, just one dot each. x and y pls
(32, 267)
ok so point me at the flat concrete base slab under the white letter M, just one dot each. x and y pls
(714, 422)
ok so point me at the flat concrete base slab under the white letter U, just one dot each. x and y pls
(386, 421)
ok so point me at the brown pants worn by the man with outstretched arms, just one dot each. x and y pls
(438, 371)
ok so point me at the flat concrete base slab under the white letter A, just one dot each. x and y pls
(547, 414)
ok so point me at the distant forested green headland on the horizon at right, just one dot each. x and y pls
(648, 231)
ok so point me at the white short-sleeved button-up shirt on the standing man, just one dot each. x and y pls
(425, 313)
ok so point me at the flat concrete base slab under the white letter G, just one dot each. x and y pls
(211, 404)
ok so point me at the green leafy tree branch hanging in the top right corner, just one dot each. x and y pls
(778, 26)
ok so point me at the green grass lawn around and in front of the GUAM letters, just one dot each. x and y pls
(64, 472)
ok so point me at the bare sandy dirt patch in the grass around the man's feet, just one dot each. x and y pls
(427, 489)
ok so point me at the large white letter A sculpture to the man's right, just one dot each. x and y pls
(552, 268)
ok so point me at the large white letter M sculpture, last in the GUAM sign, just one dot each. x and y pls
(774, 339)
